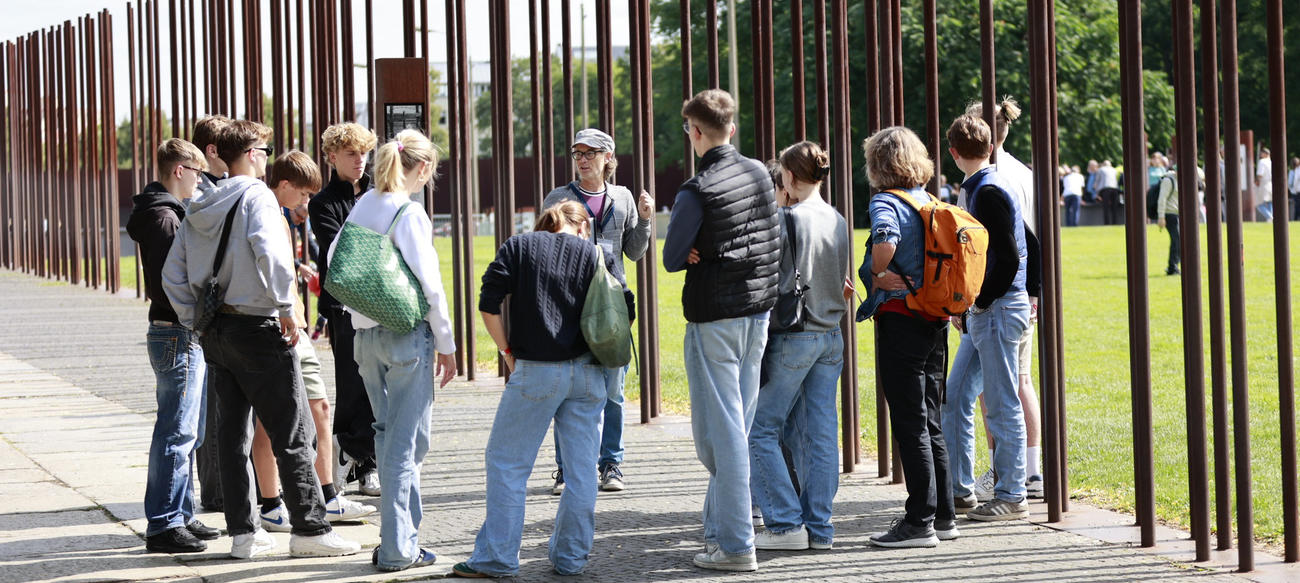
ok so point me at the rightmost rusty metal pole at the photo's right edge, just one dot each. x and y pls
(1282, 279)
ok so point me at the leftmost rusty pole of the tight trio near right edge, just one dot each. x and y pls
(1185, 88)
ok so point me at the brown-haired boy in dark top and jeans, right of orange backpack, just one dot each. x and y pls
(987, 361)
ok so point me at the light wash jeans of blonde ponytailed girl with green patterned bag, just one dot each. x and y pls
(398, 375)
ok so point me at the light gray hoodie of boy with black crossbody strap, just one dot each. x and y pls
(258, 271)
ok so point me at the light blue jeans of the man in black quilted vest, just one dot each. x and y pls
(723, 360)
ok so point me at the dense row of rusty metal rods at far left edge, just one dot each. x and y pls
(59, 154)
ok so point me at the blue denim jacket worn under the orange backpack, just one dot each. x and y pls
(894, 222)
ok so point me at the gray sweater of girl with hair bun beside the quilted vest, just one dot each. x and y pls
(824, 260)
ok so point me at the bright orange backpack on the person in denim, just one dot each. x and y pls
(955, 261)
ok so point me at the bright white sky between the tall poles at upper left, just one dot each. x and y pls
(388, 34)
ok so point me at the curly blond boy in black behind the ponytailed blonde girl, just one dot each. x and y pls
(346, 146)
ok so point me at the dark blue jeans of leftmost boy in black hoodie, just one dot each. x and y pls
(180, 370)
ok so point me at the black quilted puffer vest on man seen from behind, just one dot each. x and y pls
(739, 241)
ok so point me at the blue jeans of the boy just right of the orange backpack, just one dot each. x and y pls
(989, 362)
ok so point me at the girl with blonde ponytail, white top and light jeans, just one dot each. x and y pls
(398, 369)
